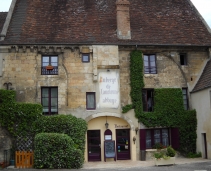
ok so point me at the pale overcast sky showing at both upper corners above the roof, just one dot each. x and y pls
(203, 6)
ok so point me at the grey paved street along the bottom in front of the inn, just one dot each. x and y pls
(182, 164)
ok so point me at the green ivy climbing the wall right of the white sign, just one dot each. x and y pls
(168, 109)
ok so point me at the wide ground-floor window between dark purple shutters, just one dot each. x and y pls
(154, 136)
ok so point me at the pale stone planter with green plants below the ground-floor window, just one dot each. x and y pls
(165, 157)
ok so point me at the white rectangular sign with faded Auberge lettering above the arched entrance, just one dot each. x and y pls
(109, 89)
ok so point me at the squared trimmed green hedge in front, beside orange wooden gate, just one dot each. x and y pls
(56, 151)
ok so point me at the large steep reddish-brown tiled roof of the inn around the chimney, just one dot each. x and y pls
(153, 22)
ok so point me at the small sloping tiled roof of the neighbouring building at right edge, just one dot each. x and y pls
(205, 79)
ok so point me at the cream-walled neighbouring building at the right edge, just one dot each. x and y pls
(201, 97)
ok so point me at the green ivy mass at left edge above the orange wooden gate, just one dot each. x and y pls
(17, 118)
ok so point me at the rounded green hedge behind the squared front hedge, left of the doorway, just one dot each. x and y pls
(66, 124)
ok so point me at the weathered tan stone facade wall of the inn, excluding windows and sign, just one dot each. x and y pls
(22, 67)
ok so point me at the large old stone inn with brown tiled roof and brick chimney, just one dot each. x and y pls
(87, 45)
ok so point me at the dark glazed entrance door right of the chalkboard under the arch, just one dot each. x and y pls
(123, 144)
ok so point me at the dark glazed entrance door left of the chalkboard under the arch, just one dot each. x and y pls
(94, 145)
